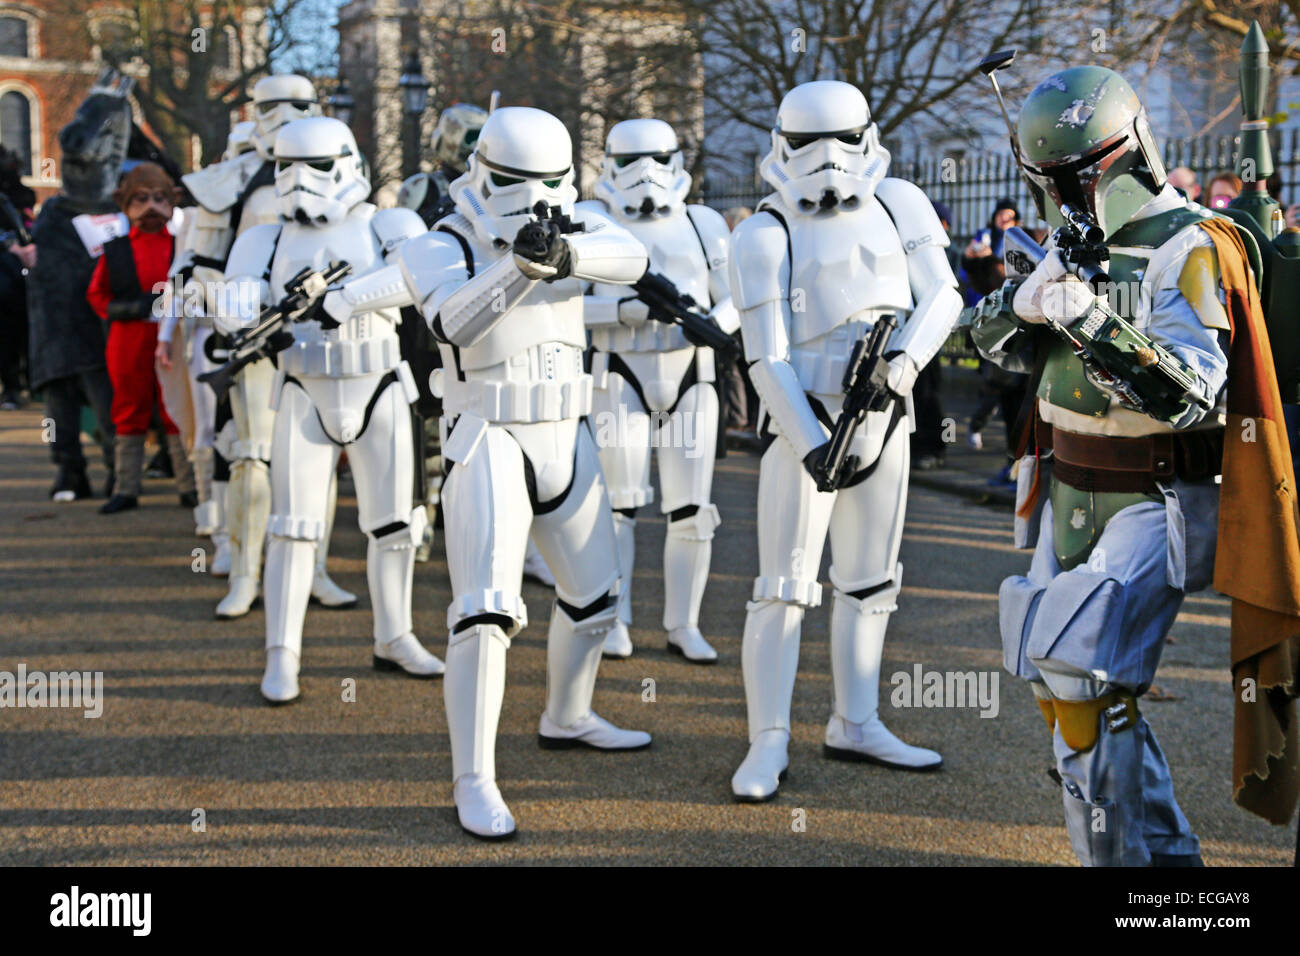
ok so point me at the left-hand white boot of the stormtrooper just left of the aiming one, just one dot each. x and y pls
(289, 579)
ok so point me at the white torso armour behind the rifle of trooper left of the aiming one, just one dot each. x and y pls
(367, 343)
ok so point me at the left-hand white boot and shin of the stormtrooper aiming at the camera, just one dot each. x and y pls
(474, 691)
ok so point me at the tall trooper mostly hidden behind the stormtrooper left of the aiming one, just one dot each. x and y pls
(233, 197)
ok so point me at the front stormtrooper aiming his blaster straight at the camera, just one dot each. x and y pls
(522, 461)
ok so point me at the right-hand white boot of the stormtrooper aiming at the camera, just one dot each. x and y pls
(573, 659)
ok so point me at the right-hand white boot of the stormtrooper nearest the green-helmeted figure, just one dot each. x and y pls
(857, 641)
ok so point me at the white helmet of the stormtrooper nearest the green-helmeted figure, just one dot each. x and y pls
(825, 149)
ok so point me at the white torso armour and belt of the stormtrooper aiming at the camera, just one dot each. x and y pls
(530, 367)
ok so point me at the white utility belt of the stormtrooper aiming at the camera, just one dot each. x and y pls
(514, 401)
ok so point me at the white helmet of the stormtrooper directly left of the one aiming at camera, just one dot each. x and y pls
(320, 174)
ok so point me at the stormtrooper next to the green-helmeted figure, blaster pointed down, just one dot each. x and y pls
(831, 252)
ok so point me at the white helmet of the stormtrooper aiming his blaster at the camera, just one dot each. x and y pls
(523, 157)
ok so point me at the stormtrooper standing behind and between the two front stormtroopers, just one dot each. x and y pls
(653, 388)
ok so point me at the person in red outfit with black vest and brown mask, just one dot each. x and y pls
(127, 284)
